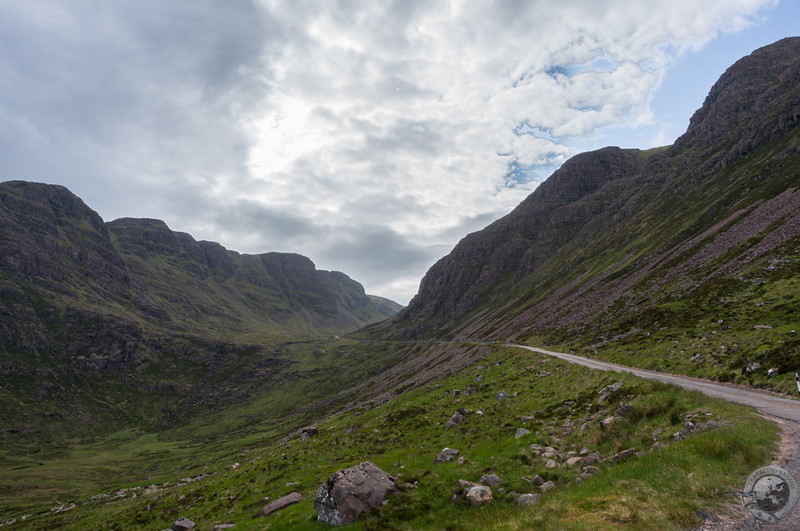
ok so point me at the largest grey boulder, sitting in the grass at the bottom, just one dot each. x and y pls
(349, 492)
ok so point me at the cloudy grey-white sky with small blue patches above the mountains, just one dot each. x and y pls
(369, 136)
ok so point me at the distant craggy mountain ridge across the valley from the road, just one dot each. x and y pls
(95, 313)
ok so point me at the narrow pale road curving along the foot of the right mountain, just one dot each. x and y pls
(785, 412)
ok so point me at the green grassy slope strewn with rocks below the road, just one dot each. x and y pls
(664, 488)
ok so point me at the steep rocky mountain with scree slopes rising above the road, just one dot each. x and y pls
(620, 242)
